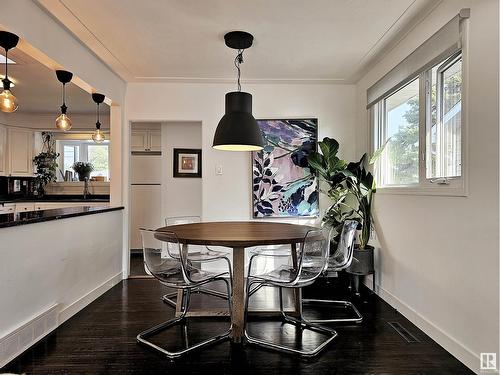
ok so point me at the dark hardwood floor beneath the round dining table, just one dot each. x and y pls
(101, 340)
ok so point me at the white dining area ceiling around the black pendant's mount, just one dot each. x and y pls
(295, 40)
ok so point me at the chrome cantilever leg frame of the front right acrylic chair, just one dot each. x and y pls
(288, 319)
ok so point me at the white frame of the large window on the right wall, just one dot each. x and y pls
(453, 186)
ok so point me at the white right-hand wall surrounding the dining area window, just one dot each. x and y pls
(439, 261)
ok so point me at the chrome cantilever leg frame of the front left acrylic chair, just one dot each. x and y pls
(142, 337)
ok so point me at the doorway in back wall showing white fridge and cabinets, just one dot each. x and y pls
(154, 189)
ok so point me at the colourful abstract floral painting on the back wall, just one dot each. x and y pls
(283, 185)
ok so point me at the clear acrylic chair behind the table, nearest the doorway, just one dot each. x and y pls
(200, 254)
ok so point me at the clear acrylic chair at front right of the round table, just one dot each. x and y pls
(311, 262)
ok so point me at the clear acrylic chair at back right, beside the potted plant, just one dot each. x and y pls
(340, 259)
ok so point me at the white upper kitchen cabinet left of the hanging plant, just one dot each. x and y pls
(20, 151)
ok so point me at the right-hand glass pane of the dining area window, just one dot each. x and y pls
(444, 125)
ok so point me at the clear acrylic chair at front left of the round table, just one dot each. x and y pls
(178, 273)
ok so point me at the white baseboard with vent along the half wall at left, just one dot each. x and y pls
(16, 342)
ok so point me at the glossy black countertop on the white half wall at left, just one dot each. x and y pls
(31, 217)
